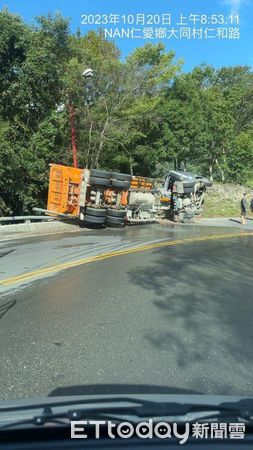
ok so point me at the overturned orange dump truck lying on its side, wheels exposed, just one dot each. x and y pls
(99, 197)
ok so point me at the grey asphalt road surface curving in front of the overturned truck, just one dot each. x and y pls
(178, 316)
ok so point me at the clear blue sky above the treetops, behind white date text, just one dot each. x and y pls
(217, 52)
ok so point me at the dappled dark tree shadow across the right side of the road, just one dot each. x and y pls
(203, 296)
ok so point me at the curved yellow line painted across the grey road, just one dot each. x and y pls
(57, 267)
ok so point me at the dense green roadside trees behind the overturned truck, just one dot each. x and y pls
(143, 115)
